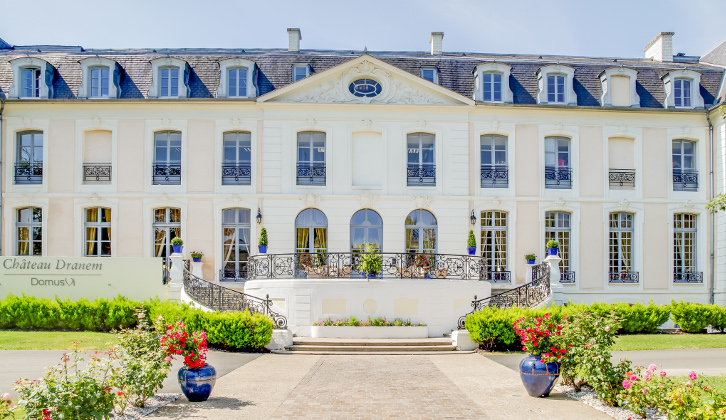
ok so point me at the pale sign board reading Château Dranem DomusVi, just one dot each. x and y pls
(76, 278)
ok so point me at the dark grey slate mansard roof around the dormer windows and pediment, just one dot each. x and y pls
(275, 68)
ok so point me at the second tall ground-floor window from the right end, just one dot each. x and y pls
(621, 249)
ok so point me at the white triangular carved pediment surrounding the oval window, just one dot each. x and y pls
(397, 86)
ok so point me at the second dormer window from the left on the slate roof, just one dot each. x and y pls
(101, 78)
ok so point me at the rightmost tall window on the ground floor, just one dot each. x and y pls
(685, 230)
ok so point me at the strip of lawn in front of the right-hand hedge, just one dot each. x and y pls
(669, 341)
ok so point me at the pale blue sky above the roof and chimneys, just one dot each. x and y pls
(614, 28)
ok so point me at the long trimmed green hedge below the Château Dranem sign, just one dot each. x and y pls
(226, 330)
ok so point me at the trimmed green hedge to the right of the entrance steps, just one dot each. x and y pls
(492, 327)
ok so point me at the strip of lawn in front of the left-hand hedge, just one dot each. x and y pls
(54, 340)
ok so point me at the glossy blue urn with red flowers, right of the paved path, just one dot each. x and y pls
(540, 338)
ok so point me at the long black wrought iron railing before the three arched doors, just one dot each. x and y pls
(347, 265)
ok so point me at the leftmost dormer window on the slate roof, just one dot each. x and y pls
(32, 78)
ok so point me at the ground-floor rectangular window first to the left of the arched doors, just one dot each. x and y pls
(235, 243)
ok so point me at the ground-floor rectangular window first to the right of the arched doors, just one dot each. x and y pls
(494, 243)
